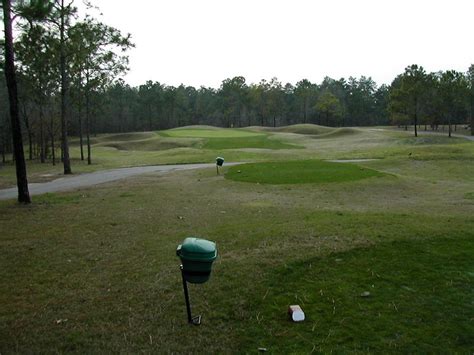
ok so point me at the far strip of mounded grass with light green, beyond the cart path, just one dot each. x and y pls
(152, 148)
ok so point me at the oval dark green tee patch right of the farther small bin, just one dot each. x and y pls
(299, 172)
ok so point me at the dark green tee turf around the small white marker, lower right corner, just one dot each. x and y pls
(372, 299)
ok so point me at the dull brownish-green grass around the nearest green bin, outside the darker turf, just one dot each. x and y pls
(95, 270)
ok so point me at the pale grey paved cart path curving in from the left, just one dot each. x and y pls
(67, 183)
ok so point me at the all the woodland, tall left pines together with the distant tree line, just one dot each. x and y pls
(69, 73)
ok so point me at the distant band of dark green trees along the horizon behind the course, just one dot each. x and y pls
(414, 96)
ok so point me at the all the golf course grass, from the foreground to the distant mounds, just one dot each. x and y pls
(95, 271)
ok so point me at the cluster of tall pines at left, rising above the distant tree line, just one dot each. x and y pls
(57, 62)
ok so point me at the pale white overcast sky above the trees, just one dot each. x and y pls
(202, 42)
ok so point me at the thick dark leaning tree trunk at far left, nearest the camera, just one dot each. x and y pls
(21, 176)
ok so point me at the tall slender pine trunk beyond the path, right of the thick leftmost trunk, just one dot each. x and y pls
(64, 95)
